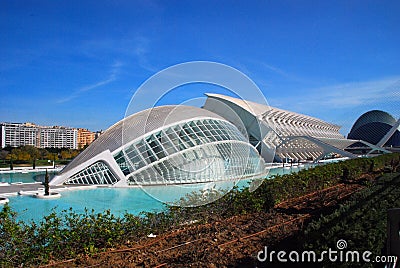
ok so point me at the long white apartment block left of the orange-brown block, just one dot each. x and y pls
(20, 134)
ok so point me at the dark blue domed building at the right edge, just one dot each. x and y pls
(376, 127)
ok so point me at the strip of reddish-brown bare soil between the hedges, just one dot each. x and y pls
(232, 242)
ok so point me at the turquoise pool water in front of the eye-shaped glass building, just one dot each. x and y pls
(117, 200)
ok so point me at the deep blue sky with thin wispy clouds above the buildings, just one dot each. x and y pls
(78, 63)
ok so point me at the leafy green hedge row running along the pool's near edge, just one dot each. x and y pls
(66, 235)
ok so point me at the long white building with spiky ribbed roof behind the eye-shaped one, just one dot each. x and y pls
(278, 134)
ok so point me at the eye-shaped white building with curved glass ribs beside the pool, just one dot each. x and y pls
(165, 145)
